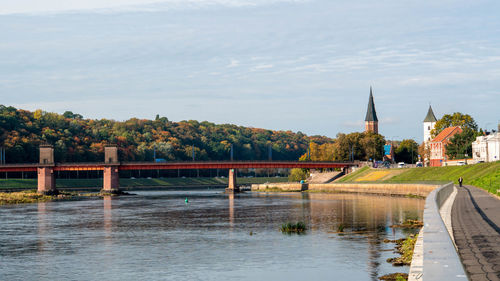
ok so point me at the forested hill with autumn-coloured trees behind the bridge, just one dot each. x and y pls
(76, 139)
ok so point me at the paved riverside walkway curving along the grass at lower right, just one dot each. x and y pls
(476, 227)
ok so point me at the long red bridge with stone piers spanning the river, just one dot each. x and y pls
(111, 166)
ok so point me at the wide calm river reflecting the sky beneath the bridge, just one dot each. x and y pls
(156, 235)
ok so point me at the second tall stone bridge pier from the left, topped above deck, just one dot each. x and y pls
(111, 178)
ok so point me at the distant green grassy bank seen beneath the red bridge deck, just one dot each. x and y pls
(142, 182)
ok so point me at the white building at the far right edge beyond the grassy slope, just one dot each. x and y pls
(486, 148)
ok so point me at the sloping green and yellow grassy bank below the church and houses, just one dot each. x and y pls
(483, 175)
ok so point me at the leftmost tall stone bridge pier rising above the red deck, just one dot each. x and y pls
(46, 179)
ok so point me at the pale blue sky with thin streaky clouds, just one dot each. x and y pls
(300, 65)
